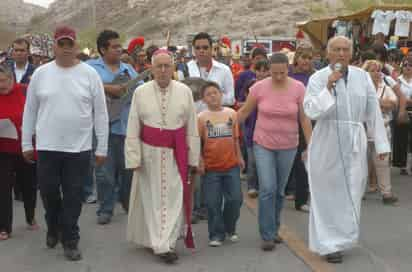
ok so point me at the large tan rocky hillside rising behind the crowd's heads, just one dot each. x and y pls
(152, 18)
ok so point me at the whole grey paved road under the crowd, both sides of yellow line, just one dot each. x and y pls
(385, 244)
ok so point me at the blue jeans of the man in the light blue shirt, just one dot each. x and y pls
(112, 178)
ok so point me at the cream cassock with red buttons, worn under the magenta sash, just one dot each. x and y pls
(156, 200)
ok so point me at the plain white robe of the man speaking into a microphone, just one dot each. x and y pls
(337, 157)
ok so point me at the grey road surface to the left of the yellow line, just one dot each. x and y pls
(105, 249)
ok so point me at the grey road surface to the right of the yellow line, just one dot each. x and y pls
(386, 232)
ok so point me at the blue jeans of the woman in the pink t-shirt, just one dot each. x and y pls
(273, 167)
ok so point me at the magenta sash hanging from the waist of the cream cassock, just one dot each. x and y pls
(176, 140)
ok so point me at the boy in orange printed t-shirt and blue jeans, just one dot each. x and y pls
(220, 164)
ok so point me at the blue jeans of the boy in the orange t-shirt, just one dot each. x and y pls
(219, 187)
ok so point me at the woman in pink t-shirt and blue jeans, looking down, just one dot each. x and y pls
(278, 100)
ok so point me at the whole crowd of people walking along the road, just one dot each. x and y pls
(320, 131)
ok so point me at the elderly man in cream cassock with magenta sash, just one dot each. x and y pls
(162, 111)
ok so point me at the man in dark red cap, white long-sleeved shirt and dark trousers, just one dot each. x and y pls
(65, 100)
